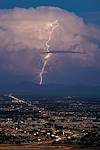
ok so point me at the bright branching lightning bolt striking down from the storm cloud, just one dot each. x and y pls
(53, 26)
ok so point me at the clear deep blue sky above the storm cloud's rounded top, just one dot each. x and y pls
(89, 9)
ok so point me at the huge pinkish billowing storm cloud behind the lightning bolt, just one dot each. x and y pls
(23, 33)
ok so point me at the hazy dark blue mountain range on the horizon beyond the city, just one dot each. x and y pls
(29, 88)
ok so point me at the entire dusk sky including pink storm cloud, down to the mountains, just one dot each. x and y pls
(24, 31)
